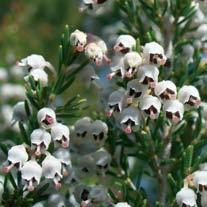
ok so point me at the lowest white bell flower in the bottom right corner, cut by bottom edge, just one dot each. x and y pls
(186, 197)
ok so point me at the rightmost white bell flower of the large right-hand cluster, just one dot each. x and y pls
(189, 96)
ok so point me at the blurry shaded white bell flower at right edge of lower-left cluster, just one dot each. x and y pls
(64, 156)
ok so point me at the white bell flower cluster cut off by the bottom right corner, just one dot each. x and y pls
(187, 196)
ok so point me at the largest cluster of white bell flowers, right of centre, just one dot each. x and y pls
(145, 96)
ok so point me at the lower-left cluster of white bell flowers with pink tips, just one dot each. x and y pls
(27, 158)
